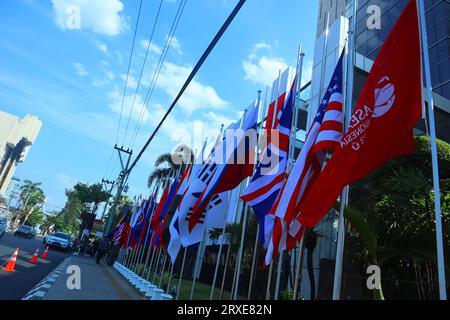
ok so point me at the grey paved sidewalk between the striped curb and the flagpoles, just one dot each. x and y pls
(98, 282)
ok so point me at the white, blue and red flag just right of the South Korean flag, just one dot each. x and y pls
(232, 162)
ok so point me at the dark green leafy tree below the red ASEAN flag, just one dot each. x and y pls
(392, 218)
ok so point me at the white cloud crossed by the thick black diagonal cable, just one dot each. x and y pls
(197, 96)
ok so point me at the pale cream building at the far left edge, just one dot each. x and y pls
(16, 138)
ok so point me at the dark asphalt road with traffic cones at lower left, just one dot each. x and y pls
(13, 286)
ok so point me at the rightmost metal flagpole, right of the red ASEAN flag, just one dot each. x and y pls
(436, 187)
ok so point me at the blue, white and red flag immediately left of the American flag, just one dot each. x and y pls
(266, 183)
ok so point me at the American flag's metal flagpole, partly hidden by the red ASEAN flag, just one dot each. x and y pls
(348, 96)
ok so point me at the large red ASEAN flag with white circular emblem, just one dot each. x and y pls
(381, 127)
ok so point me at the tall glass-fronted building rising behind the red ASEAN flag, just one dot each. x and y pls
(333, 21)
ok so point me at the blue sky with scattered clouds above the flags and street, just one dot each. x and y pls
(73, 79)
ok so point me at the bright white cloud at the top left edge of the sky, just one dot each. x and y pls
(101, 16)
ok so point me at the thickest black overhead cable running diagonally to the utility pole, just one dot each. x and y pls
(189, 79)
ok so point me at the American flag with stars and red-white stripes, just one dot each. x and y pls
(325, 133)
